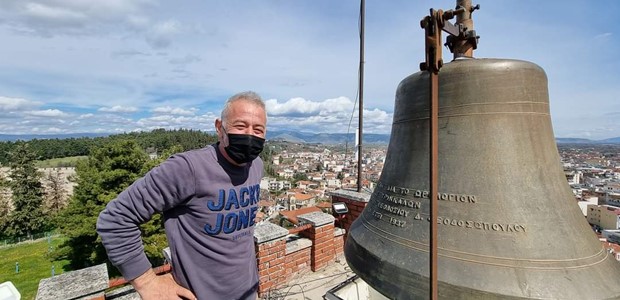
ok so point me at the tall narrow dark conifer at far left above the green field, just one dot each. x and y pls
(27, 216)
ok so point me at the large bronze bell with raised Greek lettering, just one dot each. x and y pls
(508, 224)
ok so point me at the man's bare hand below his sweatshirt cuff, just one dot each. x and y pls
(150, 286)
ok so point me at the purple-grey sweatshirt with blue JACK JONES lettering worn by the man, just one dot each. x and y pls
(208, 206)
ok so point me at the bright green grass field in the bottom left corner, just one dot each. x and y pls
(34, 265)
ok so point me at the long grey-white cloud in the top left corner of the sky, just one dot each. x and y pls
(50, 18)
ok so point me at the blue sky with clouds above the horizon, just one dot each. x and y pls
(69, 66)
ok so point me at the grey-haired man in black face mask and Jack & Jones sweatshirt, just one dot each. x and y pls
(209, 201)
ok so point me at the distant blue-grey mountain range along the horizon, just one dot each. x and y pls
(295, 137)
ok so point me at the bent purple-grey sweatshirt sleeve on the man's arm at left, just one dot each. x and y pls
(162, 188)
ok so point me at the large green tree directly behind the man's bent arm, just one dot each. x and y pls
(108, 171)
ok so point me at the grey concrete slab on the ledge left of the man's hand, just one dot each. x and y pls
(85, 283)
